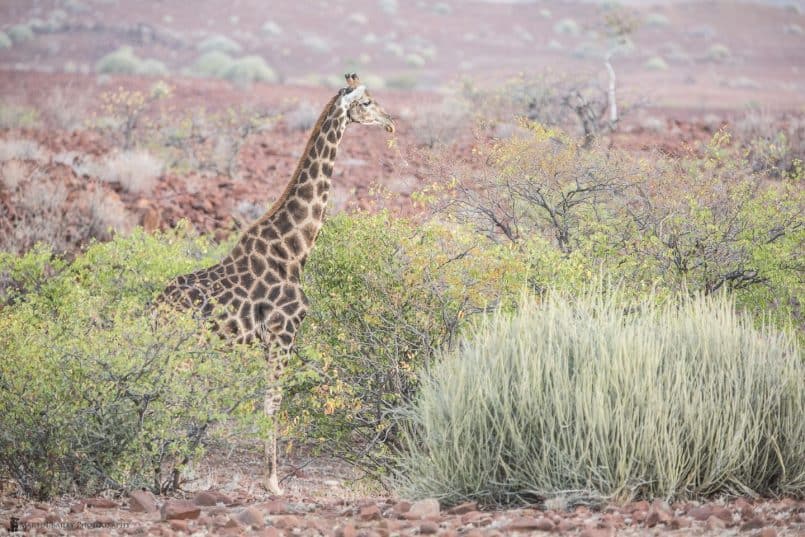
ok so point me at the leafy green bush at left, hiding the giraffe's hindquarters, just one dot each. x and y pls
(96, 392)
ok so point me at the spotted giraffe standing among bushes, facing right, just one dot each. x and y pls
(256, 290)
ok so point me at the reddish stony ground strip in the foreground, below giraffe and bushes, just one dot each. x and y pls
(327, 497)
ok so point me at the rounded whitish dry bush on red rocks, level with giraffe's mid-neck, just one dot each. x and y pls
(135, 171)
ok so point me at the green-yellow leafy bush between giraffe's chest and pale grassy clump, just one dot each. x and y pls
(385, 295)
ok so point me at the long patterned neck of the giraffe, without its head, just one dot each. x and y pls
(287, 232)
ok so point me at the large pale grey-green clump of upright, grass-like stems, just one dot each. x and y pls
(592, 398)
